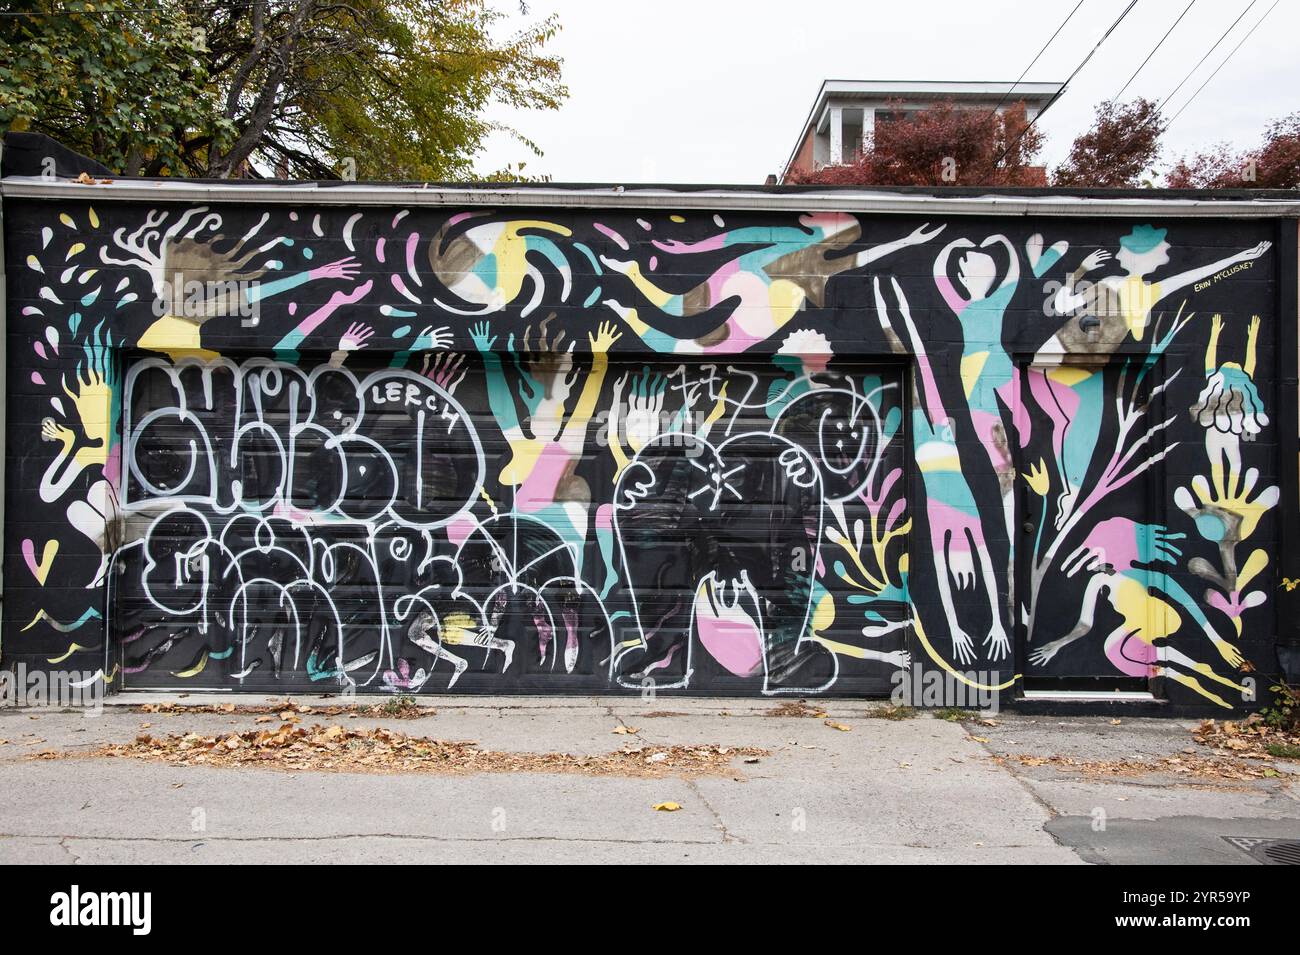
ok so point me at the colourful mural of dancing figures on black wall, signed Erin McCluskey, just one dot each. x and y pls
(415, 450)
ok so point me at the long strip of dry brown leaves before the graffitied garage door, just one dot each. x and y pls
(380, 750)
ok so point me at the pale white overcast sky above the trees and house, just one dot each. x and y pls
(716, 92)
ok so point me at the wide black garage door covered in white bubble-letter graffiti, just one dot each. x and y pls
(512, 523)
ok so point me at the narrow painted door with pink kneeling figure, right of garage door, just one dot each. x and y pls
(1090, 606)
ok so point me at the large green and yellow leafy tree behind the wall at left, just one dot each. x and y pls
(315, 89)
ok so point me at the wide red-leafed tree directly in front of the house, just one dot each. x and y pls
(942, 146)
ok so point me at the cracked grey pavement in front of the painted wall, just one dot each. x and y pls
(917, 791)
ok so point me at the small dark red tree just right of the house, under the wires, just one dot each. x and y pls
(1117, 151)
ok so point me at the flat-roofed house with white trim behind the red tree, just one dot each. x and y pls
(848, 112)
